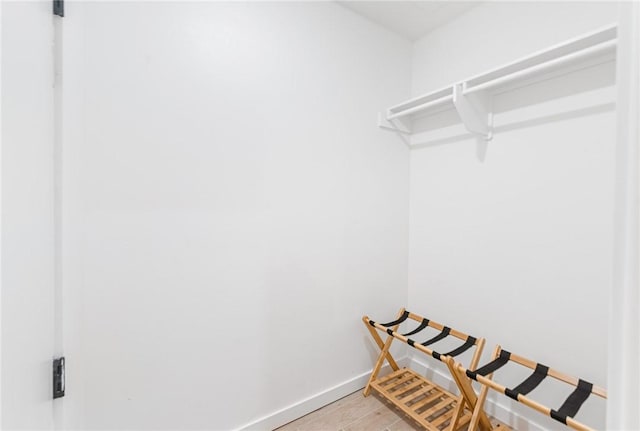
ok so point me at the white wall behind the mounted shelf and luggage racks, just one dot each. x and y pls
(515, 244)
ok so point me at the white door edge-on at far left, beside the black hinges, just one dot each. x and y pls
(27, 215)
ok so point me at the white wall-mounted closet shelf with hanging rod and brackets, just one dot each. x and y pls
(472, 97)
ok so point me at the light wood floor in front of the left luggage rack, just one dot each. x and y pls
(355, 413)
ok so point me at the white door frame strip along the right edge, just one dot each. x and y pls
(624, 309)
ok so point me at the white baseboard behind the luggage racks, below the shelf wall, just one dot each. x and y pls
(493, 408)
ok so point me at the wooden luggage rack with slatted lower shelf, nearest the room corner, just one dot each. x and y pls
(427, 403)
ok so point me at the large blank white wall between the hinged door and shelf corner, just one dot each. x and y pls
(230, 213)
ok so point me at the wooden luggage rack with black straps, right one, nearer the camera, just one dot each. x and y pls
(565, 414)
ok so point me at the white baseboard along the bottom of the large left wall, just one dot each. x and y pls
(312, 403)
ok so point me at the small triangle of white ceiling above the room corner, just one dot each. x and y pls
(410, 19)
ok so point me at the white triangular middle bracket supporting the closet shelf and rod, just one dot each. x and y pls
(475, 111)
